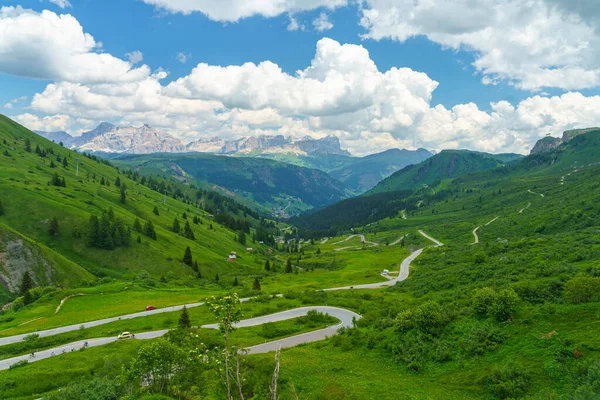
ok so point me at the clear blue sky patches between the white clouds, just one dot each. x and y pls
(124, 26)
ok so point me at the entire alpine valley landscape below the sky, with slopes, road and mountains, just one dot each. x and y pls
(461, 274)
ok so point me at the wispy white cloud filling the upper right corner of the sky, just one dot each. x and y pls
(529, 44)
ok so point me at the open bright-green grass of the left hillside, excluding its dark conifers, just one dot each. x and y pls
(30, 202)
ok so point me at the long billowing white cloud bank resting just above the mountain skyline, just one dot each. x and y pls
(340, 92)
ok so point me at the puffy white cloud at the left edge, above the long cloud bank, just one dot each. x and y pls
(55, 47)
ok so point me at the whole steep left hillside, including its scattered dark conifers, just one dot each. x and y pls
(69, 225)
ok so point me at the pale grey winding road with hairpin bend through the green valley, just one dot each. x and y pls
(346, 318)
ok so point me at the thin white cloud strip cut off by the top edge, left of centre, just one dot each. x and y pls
(234, 10)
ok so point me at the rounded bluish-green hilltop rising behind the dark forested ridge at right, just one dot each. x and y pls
(445, 165)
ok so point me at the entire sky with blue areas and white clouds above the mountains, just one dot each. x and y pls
(472, 57)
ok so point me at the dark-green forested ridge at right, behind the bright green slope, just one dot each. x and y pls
(579, 152)
